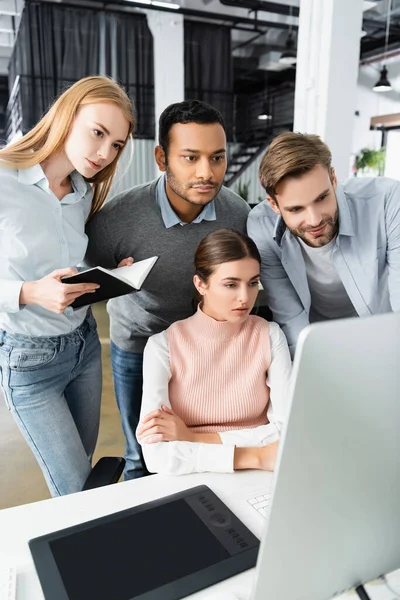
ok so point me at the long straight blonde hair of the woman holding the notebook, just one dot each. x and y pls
(50, 134)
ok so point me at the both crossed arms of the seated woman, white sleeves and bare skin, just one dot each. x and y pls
(170, 447)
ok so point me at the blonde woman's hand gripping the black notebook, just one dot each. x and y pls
(53, 295)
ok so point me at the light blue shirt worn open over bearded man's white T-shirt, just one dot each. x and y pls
(366, 254)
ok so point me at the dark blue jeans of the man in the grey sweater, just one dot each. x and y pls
(128, 383)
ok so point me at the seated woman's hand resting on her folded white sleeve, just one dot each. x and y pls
(163, 425)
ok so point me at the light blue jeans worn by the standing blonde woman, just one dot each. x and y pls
(52, 386)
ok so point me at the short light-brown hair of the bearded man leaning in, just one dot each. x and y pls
(292, 155)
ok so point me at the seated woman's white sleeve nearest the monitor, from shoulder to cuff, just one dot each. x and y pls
(278, 381)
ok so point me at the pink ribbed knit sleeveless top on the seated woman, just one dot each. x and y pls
(219, 372)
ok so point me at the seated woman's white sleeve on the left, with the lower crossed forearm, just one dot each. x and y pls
(174, 458)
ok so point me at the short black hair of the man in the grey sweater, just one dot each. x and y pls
(189, 111)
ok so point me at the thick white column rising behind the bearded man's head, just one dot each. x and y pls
(328, 51)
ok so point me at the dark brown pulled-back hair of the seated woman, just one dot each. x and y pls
(221, 246)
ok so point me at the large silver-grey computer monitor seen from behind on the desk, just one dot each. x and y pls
(335, 516)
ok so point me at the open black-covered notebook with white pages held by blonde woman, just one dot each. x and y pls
(113, 282)
